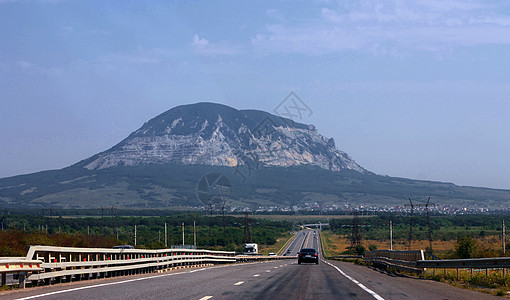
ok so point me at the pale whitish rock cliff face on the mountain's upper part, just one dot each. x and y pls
(213, 141)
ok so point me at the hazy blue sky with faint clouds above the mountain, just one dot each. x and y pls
(417, 89)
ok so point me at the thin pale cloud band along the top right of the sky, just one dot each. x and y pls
(383, 27)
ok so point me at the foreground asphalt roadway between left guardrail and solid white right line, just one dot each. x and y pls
(276, 280)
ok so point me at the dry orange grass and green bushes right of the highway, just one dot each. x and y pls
(453, 237)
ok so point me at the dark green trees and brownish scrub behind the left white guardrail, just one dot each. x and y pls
(216, 233)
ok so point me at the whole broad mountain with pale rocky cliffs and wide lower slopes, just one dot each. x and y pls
(193, 155)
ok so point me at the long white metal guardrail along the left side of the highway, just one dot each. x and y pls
(48, 264)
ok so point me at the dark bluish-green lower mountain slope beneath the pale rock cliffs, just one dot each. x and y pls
(172, 185)
